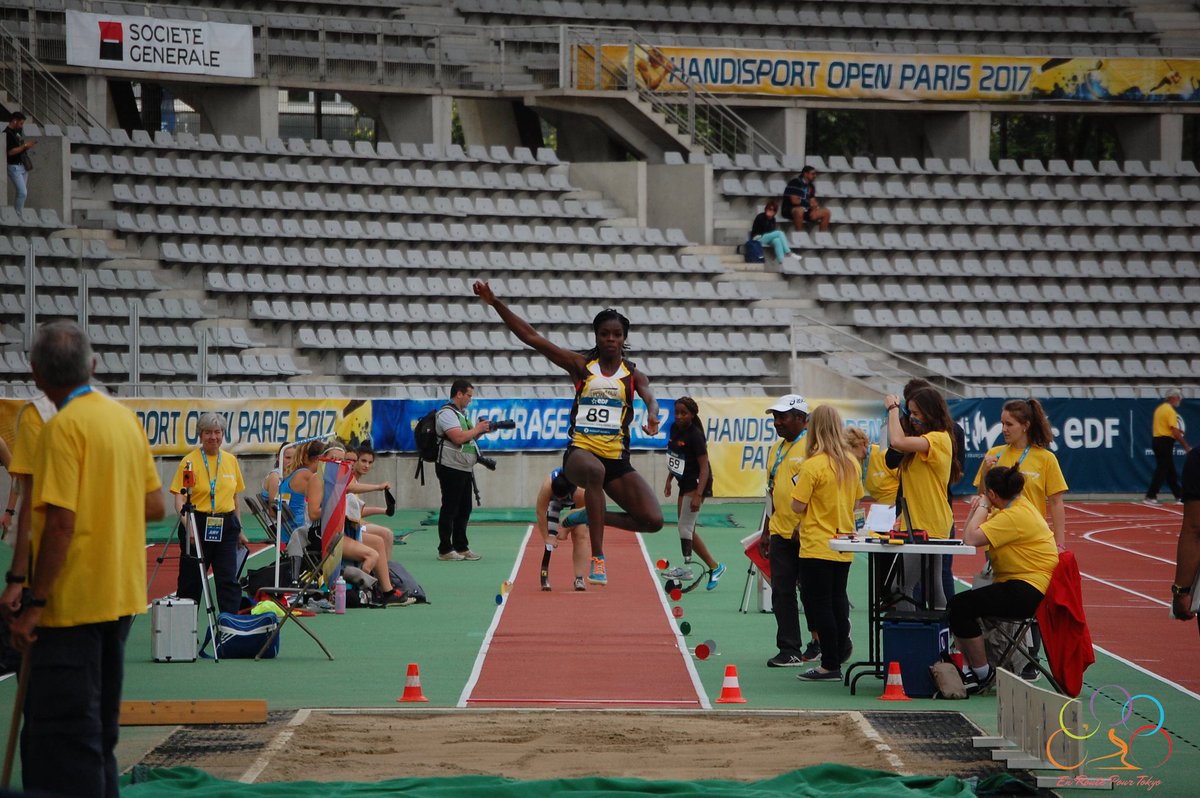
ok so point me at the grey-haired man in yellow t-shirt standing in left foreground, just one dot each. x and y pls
(97, 485)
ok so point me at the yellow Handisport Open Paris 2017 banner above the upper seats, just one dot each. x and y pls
(868, 76)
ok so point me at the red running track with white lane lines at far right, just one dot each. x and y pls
(1126, 556)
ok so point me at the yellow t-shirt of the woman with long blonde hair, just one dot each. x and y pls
(831, 506)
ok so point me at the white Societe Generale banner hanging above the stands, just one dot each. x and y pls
(152, 45)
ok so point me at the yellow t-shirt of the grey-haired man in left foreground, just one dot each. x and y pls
(95, 461)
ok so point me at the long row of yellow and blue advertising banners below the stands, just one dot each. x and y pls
(1103, 446)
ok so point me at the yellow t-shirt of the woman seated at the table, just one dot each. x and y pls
(1022, 545)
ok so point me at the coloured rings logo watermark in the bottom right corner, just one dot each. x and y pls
(1115, 745)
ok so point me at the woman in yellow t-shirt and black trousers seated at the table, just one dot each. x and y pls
(1023, 555)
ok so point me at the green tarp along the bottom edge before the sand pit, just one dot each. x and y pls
(819, 782)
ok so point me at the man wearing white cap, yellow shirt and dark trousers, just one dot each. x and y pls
(779, 535)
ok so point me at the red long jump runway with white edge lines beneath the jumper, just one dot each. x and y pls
(614, 646)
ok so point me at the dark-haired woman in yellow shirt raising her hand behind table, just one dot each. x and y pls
(928, 466)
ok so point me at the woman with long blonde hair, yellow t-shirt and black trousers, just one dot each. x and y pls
(829, 487)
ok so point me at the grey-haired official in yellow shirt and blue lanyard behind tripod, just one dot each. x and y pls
(218, 482)
